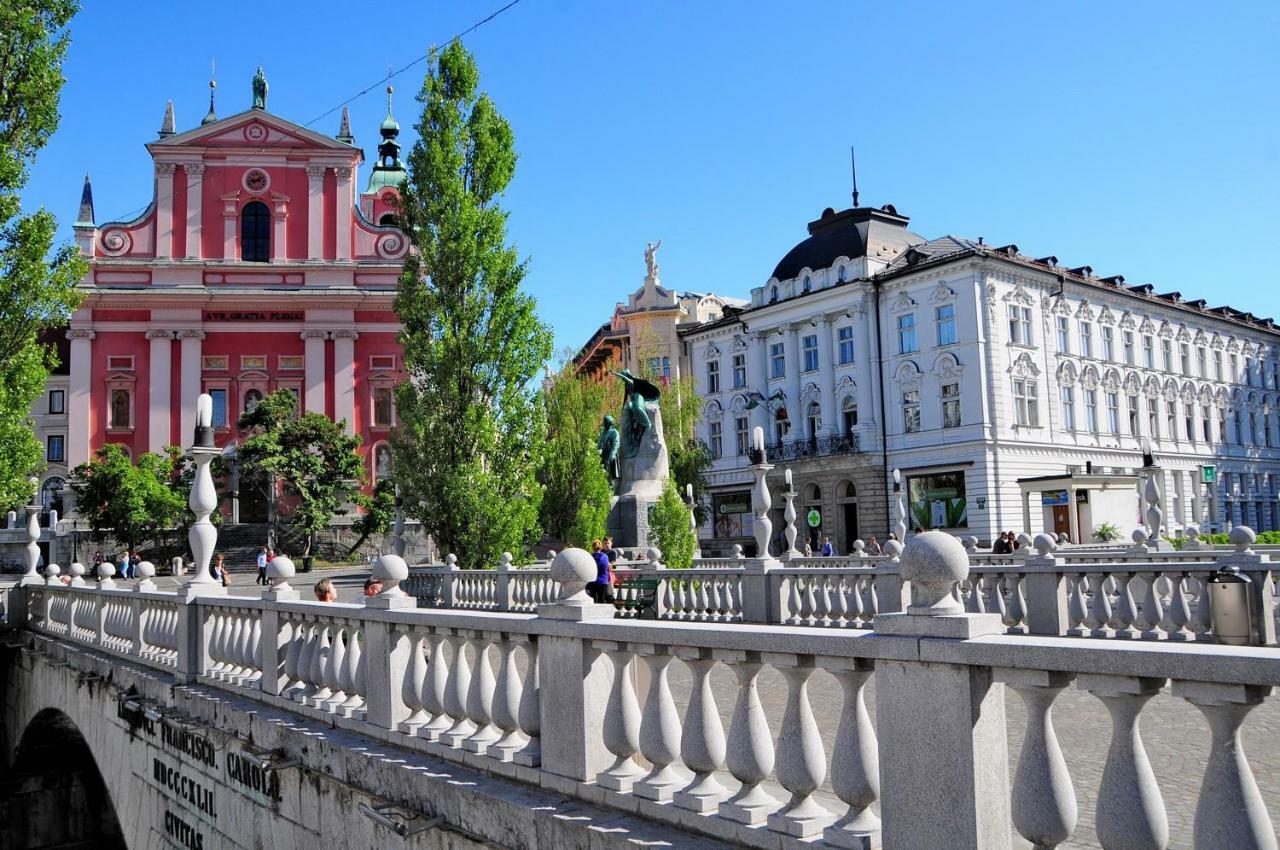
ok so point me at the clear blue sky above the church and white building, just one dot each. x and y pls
(1142, 139)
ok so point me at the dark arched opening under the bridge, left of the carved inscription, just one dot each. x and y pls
(54, 796)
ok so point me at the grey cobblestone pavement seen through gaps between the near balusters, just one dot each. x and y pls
(1174, 732)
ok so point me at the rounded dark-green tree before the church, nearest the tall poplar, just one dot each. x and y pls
(313, 456)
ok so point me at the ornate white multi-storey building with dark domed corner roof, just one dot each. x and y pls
(1009, 392)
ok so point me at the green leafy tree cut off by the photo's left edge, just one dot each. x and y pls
(38, 282)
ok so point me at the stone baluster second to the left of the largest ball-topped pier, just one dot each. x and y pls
(802, 762)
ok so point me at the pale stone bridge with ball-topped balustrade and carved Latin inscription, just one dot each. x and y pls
(136, 719)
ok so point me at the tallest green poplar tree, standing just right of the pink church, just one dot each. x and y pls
(472, 436)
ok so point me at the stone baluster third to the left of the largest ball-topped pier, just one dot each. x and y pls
(751, 746)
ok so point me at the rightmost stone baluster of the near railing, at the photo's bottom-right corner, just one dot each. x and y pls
(1231, 811)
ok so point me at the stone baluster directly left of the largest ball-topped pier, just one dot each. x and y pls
(856, 761)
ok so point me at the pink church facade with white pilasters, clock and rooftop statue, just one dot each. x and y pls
(258, 267)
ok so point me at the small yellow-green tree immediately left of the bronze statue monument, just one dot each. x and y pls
(577, 491)
